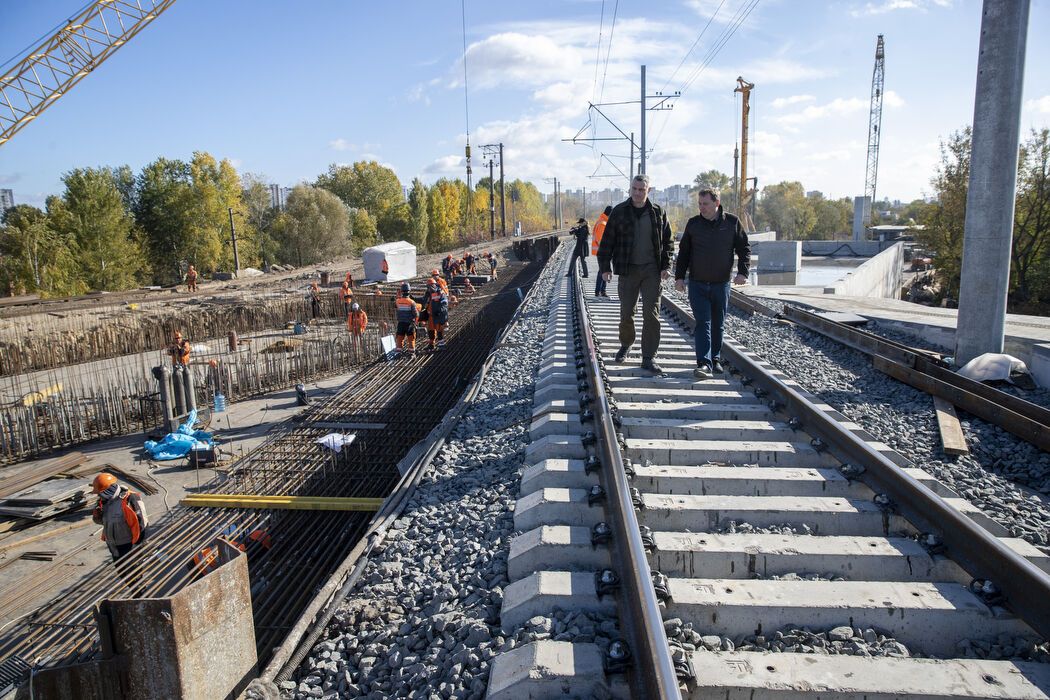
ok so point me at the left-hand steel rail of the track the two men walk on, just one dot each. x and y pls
(639, 605)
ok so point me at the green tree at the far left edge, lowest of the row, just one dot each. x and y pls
(34, 258)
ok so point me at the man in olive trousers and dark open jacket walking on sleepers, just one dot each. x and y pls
(637, 246)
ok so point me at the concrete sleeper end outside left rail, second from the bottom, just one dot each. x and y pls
(544, 591)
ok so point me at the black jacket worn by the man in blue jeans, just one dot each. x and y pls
(707, 248)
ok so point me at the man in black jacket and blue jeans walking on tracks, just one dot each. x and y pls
(706, 256)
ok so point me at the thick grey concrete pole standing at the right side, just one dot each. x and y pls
(994, 176)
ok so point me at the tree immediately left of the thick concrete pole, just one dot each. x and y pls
(946, 219)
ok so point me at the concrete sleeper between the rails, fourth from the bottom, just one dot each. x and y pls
(823, 516)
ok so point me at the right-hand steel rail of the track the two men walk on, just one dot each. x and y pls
(984, 557)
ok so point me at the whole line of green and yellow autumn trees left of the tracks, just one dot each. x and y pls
(113, 229)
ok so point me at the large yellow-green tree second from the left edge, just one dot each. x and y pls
(92, 215)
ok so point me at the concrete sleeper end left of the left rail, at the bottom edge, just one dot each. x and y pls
(551, 669)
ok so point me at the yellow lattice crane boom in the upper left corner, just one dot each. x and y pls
(64, 59)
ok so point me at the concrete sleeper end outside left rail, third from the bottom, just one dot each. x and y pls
(557, 548)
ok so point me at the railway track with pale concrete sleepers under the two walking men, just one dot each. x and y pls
(793, 556)
